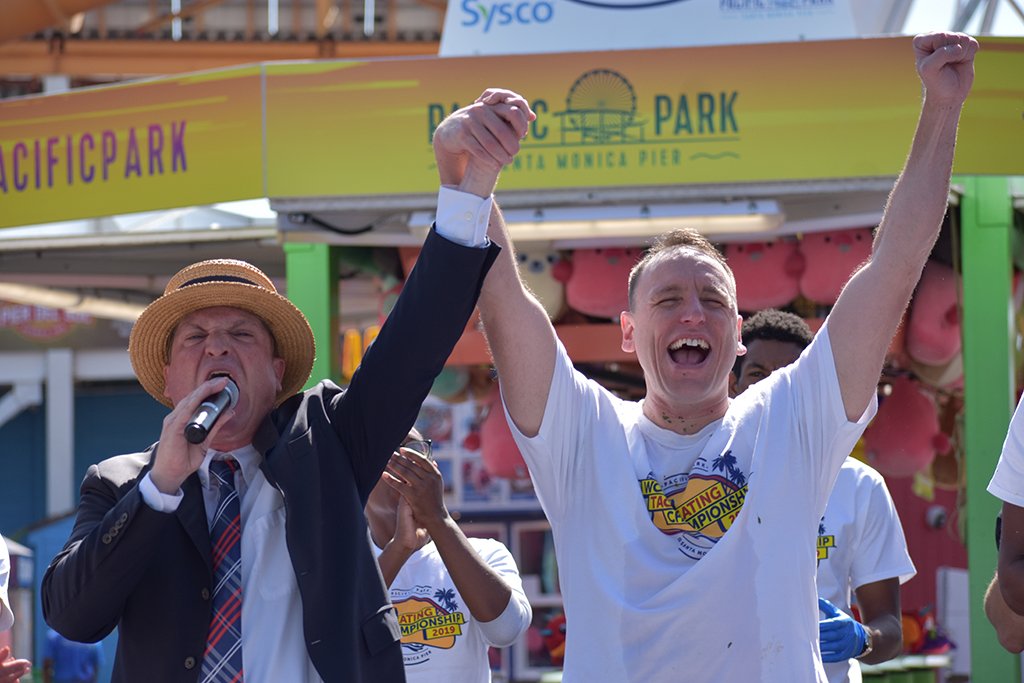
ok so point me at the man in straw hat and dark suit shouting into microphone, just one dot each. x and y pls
(155, 550)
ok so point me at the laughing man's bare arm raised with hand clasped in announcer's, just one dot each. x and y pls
(472, 147)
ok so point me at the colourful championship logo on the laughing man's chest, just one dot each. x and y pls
(707, 505)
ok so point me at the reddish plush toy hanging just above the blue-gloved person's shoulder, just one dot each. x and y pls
(905, 437)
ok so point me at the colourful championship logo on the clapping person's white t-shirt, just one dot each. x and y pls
(429, 621)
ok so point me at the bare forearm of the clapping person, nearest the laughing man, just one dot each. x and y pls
(485, 592)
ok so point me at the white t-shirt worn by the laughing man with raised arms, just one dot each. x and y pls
(639, 607)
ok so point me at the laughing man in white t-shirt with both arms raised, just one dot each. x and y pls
(685, 525)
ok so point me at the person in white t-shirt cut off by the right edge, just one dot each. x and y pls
(1005, 597)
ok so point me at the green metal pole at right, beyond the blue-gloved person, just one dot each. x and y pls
(988, 324)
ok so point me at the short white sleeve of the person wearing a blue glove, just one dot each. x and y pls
(881, 550)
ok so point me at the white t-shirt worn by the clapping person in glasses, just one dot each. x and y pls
(441, 641)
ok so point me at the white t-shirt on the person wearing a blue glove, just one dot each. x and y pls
(861, 541)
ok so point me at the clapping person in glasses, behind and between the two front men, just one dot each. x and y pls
(455, 595)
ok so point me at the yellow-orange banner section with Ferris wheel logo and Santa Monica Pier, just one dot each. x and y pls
(712, 115)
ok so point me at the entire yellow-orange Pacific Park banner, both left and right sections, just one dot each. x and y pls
(707, 115)
